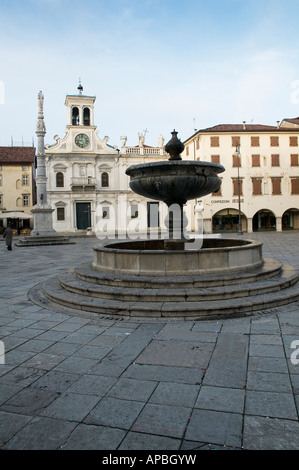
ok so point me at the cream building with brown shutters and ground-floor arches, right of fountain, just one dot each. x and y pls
(261, 164)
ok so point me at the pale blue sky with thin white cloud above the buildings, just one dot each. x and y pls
(153, 65)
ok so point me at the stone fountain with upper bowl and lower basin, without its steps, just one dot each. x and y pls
(175, 182)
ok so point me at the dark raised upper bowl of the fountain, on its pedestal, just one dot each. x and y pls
(175, 182)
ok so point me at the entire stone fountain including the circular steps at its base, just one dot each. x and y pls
(176, 277)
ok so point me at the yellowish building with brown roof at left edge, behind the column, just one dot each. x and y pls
(17, 187)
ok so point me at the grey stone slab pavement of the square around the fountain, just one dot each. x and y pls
(71, 381)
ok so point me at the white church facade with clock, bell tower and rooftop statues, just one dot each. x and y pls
(86, 181)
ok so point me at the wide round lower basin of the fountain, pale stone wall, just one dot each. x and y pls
(150, 258)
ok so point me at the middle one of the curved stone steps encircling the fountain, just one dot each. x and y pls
(71, 283)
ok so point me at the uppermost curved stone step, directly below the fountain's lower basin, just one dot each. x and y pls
(269, 269)
